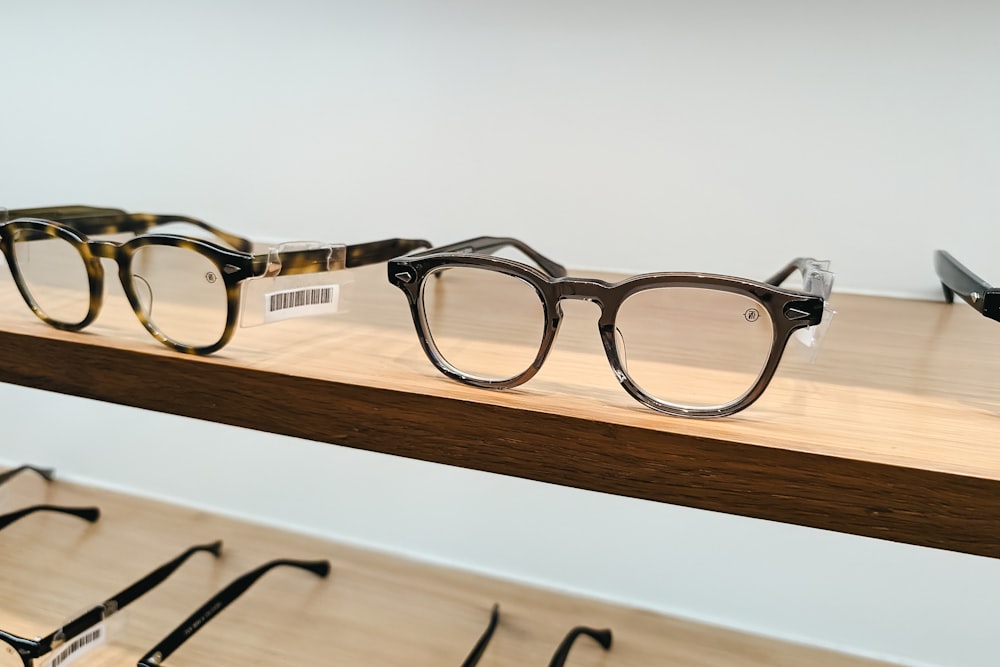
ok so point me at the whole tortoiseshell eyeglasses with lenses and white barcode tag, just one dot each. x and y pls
(185, 291)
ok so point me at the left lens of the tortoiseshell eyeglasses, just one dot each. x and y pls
(55, 275)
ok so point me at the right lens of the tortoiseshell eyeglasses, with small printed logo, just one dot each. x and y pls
(180, 293)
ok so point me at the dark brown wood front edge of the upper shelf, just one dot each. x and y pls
(913, 506)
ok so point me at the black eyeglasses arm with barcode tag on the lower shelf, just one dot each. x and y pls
(85, 629)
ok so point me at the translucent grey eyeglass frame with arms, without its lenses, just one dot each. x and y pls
(790, 310)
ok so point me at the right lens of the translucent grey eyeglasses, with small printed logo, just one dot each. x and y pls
(693, 347)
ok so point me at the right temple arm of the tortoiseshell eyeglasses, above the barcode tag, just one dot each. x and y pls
(318, 260)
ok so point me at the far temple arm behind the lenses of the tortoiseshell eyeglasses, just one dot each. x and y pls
(93, 221)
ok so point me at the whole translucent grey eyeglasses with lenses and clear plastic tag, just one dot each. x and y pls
(686, 344)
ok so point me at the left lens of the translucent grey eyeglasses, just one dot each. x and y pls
(483, 323)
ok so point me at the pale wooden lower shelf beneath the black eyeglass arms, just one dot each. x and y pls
(375, 609)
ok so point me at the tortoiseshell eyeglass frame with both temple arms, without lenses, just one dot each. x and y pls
(234, 266)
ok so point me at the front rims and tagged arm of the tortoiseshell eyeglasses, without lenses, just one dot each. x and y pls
(233, 266)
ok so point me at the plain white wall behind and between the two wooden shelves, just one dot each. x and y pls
(722, 136)
